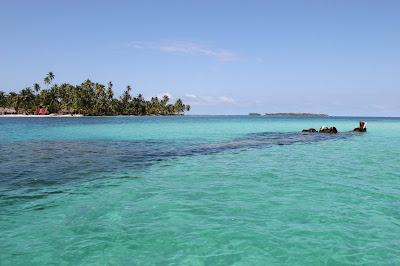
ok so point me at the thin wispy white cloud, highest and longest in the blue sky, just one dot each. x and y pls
(186, 48)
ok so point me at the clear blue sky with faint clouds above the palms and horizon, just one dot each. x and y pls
(338, 57)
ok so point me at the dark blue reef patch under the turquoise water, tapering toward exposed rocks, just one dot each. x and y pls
(42, 166)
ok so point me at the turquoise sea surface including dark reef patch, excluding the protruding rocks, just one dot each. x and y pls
(199, 190)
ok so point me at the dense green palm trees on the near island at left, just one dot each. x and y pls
(89, 98)
